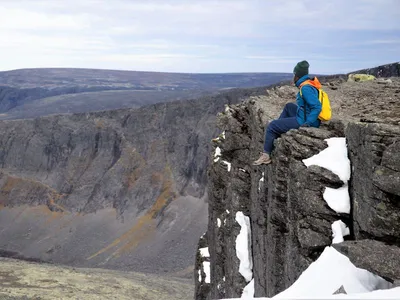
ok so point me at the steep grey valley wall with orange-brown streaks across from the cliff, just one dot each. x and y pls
(121, 189)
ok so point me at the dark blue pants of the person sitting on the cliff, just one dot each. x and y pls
(287, 120)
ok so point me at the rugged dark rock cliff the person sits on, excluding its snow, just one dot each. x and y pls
(290, 221)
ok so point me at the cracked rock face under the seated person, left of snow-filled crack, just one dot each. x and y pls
(295, 220)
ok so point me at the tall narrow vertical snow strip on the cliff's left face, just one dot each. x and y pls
(243, 251)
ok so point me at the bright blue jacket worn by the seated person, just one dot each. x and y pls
(310, 100)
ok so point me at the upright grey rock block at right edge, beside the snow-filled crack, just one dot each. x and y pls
(374, 152)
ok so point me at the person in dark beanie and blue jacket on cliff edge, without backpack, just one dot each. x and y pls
(293, 115)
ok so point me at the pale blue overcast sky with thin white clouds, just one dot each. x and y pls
(205, 36)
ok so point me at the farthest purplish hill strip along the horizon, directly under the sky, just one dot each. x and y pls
(55, 78)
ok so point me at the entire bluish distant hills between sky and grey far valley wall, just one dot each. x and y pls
(30, 93)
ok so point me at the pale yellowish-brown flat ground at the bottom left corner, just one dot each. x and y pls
(27, 280)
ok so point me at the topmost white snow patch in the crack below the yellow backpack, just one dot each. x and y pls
(333, 158)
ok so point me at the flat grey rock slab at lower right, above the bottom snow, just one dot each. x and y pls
(374, 256)
